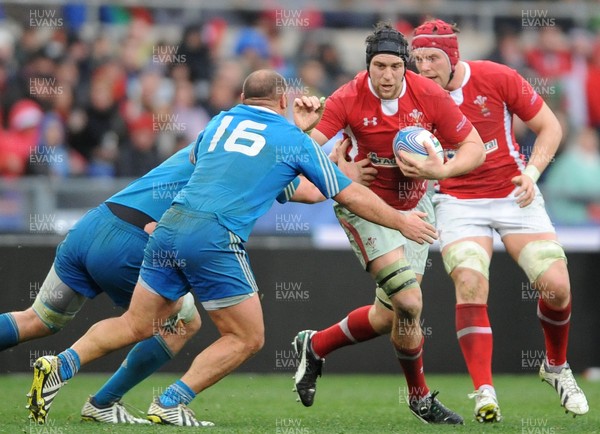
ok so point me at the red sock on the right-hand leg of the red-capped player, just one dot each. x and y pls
(555, 324)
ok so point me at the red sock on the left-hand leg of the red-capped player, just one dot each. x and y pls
(476, 341)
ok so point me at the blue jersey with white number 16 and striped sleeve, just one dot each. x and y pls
(245, 158)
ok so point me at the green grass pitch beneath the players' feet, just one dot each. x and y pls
(248, 403)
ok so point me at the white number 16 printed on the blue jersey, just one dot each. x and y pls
(257, 142)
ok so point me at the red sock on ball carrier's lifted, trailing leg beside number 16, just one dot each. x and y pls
(351, 330)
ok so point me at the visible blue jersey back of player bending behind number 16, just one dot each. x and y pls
(154, 192)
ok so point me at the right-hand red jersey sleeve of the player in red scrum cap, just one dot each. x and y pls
(520, 97)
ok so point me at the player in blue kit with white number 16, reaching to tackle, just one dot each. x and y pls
(243, 159)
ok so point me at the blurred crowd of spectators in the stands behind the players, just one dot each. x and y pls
(108, 92)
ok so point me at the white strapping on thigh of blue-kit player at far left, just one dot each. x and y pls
(56, 304)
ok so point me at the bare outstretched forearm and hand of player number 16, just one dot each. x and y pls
(366, 204)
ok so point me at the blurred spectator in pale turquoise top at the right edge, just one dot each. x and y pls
(573, 181)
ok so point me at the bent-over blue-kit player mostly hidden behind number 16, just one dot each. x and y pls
(103, 252)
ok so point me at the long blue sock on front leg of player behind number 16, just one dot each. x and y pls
(143, 359)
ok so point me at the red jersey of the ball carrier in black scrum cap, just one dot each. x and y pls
(372, 124)
